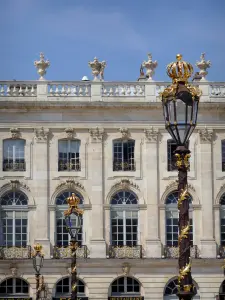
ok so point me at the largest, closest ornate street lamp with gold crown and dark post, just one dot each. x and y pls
(180, 107)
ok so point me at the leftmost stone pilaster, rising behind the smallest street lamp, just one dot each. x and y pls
(41, 188)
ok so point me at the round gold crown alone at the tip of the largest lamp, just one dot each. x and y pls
(180, 70)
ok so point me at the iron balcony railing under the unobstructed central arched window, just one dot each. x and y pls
(124, 251)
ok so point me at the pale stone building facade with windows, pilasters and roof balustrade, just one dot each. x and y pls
(106, 142)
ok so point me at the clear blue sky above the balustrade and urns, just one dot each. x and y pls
(122, 32)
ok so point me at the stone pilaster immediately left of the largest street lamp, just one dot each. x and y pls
(153, 244)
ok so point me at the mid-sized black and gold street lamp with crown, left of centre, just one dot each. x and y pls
(73, 218)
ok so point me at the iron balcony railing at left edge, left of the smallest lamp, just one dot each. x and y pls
(15, 252)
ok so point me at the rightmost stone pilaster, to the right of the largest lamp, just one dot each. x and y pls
(208, 244)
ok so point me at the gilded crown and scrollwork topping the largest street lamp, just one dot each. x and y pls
(179, 71)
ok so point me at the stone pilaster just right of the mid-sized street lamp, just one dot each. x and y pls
(98, 246)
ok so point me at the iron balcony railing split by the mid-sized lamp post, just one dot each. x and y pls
(60, 252)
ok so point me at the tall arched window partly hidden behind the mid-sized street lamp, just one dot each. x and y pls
(62, 235)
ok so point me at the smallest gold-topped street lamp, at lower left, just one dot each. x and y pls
(38, 260)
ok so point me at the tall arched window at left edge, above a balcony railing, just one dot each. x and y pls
(14, 218)
